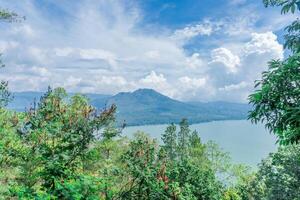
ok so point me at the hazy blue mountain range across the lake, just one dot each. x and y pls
(146, 106)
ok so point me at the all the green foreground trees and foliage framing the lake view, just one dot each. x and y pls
(63, 148)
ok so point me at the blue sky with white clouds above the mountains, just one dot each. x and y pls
(190, 50)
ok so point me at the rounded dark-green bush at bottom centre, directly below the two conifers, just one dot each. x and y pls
(187, 180)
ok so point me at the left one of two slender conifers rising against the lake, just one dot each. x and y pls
(169, 137)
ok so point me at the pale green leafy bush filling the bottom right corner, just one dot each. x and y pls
(278, 176)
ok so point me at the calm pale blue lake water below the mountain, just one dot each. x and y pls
(247, 143)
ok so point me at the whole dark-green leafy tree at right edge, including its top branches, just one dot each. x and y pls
(276, 100)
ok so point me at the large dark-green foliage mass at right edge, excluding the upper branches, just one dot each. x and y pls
(277, 101)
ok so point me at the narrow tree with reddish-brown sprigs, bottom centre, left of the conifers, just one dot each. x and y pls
(143, 169)
